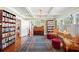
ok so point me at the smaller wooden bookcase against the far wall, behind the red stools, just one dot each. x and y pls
(50, 26)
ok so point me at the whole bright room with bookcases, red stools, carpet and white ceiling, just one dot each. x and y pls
(39, 29)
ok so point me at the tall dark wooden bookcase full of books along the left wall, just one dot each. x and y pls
(7, 29)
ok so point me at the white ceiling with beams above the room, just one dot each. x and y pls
(41, 12)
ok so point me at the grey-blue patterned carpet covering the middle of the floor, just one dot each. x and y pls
(37, 44)
